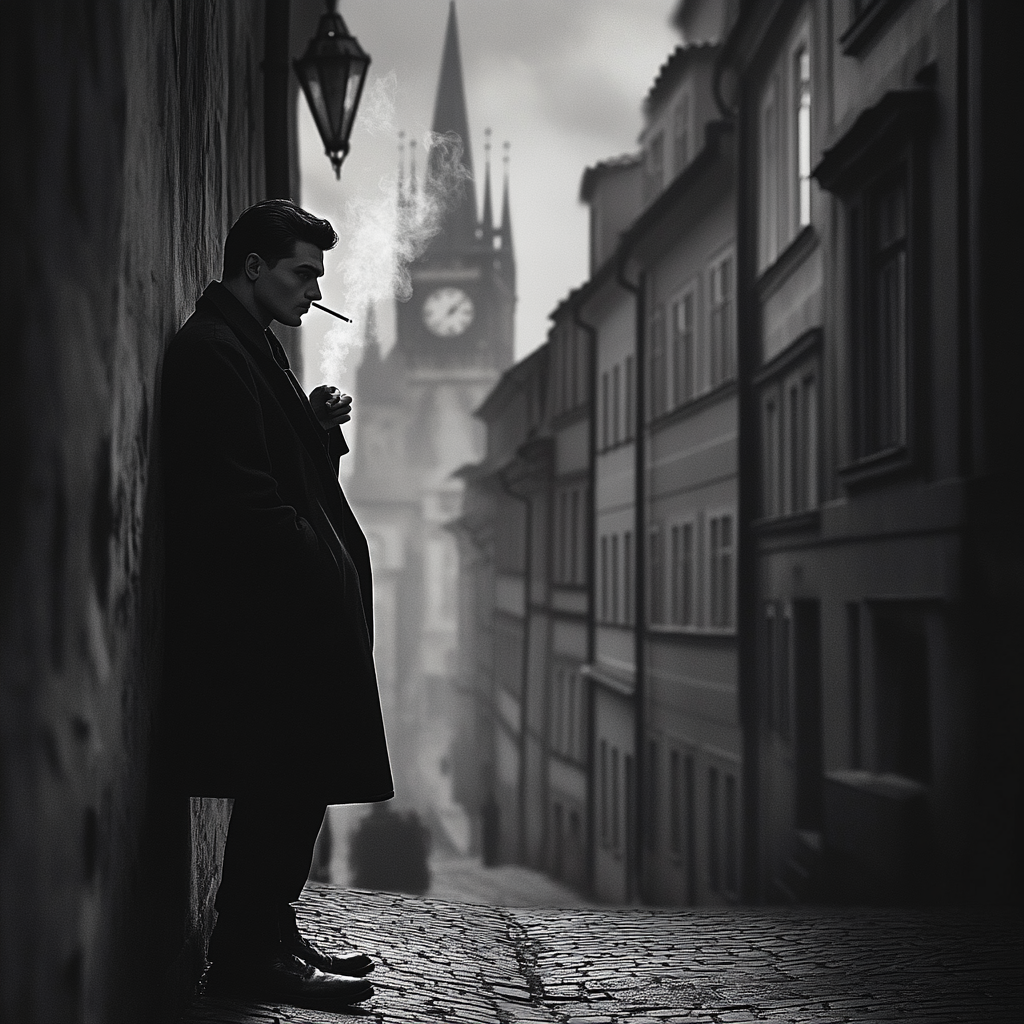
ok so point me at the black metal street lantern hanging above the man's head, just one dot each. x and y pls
(332, 73)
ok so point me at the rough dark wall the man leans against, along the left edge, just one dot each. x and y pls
(133, 137)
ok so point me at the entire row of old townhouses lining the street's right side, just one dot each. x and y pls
(787, 671)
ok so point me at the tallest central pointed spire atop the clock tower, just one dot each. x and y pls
(451, 118)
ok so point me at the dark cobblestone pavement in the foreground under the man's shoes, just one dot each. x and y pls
(463, 964)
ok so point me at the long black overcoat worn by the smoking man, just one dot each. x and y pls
(270, 670)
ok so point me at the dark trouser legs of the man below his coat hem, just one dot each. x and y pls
(268, 856)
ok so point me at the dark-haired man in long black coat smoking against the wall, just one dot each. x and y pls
(270, 666)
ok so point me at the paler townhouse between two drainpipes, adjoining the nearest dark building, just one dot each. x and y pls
(682, 248)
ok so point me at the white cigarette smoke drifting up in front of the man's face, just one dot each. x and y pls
(388, 233)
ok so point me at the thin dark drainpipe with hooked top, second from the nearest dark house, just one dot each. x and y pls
(639, 565)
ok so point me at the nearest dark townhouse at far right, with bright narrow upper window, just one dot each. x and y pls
(869, 607)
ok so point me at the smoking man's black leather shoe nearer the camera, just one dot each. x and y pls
(280, 977)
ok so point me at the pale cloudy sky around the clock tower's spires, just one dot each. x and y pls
(563, 81)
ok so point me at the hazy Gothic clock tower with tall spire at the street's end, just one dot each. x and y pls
(414, 412)
